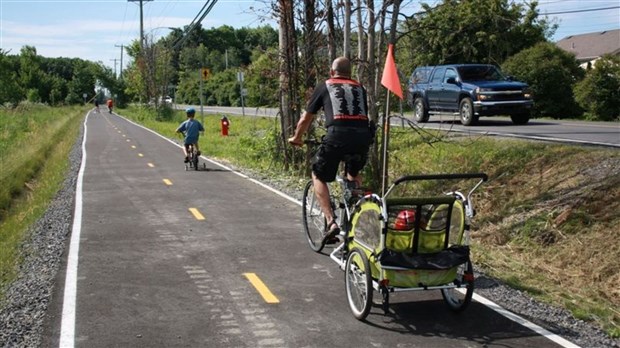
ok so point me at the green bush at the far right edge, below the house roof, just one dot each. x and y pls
(599, 92)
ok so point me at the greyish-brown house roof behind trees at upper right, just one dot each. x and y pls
(592, 45)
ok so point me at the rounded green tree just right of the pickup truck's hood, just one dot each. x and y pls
(551, 73)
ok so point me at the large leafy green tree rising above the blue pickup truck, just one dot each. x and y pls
(475, 31)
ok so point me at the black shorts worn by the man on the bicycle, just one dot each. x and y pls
(350, 146)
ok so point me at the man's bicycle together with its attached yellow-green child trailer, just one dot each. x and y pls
(402, 241)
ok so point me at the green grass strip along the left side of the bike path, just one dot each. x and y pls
(36, 141)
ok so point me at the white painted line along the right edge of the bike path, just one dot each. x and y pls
(488, 303)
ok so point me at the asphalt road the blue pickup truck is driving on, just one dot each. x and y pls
(577, 132)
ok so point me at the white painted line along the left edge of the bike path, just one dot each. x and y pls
(67, 328)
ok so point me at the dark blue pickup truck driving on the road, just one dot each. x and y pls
(469, 90)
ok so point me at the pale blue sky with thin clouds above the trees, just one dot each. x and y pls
(95, 29)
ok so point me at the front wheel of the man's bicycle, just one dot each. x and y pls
(313, 219)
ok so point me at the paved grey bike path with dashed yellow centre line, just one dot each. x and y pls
(175, 258)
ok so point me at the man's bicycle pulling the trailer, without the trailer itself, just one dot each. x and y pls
(343, 196)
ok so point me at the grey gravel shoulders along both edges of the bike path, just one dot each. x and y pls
(23, 312)
